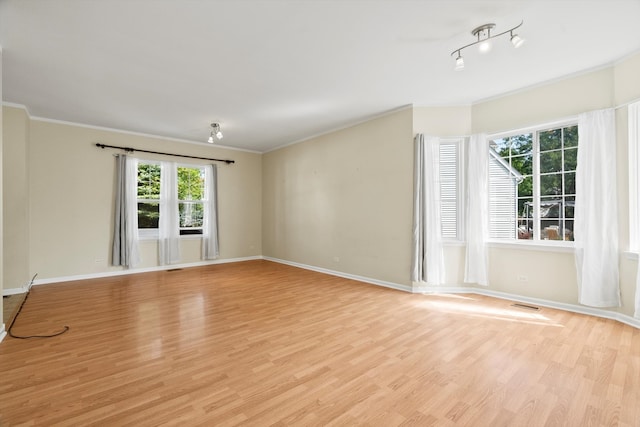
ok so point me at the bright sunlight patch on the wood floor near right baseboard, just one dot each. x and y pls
(469, 308)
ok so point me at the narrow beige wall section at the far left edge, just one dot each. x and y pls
(16, 198)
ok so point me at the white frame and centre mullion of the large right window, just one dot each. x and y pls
(537, 241)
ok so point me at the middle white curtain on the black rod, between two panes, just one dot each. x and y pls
(169, 223)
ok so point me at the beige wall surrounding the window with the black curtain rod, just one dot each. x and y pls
(71, 198)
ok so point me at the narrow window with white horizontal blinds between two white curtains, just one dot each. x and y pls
(450, 189)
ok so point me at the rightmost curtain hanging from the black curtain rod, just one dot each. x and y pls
(210, 249)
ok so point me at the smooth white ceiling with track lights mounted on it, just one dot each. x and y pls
(273, 72)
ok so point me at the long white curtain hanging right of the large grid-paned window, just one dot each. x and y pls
(596, 218)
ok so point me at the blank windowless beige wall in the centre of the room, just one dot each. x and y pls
(339, 201)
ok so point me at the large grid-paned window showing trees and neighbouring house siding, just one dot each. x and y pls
(532, 184)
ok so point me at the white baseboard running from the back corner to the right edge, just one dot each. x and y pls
(620, 317)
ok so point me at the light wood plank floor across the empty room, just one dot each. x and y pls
(259, 343)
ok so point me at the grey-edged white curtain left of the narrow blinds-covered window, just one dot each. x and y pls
(428, 255)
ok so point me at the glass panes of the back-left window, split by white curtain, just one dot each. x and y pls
(190, 181)
